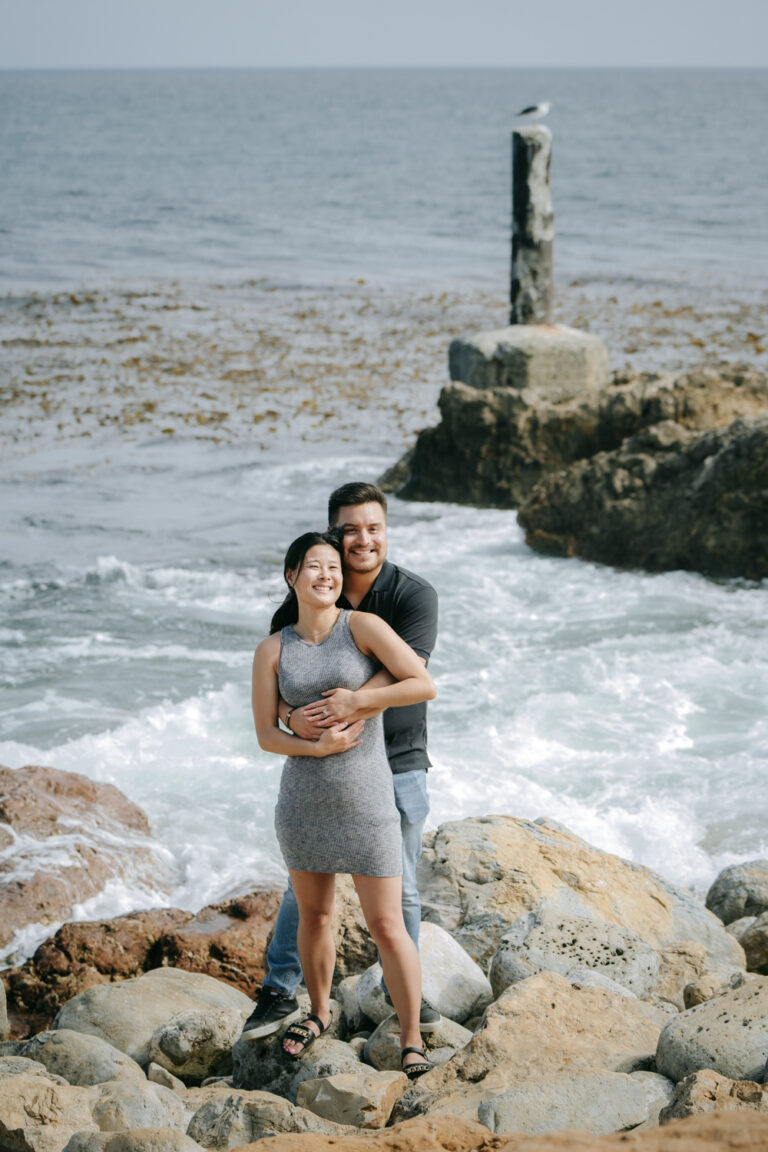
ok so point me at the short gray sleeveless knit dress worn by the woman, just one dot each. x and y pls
(336, 814)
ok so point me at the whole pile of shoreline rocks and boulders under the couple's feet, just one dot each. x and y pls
(577, 990)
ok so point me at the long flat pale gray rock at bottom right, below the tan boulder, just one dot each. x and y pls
(592, 1100)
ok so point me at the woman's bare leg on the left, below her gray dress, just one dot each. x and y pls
(315, 896)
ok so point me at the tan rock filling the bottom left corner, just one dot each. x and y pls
(40, 1116)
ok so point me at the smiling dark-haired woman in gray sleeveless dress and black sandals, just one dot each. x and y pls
(337, 807)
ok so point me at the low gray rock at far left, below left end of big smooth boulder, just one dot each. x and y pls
(80, 1058)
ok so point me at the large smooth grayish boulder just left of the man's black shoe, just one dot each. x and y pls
(128, 1014)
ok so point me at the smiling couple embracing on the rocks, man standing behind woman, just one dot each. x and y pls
(344, 671)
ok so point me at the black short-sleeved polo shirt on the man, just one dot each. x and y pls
(409, 605)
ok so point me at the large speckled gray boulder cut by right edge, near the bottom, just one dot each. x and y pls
(728, 1035)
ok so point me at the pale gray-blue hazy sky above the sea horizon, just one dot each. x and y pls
(124, 34)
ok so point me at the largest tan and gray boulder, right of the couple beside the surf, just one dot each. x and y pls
(478, 876)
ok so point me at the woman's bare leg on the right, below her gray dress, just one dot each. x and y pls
(381, 899)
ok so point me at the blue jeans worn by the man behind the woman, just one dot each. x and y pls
(284, 967)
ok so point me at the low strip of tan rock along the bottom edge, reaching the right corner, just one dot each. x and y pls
(716, 1133)
